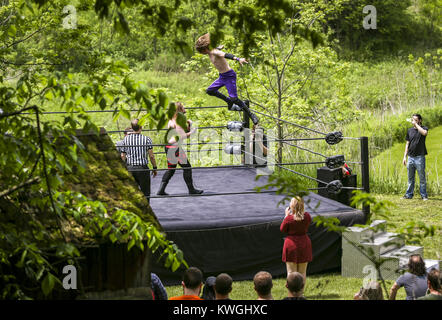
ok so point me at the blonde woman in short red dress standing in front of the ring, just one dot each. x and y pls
(297, 251)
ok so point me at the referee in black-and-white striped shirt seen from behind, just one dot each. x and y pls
(137, 147)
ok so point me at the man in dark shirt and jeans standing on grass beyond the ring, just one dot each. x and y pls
(416, 151)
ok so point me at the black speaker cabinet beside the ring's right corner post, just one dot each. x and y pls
(327, 175)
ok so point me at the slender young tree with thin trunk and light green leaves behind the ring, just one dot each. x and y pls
(292, 79)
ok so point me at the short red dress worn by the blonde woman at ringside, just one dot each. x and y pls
(297, 245)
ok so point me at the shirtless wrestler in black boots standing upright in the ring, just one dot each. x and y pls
(176, 155)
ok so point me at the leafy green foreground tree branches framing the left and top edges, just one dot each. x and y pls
(36, 72)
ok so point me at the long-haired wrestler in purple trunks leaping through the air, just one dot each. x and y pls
(227, 76)
